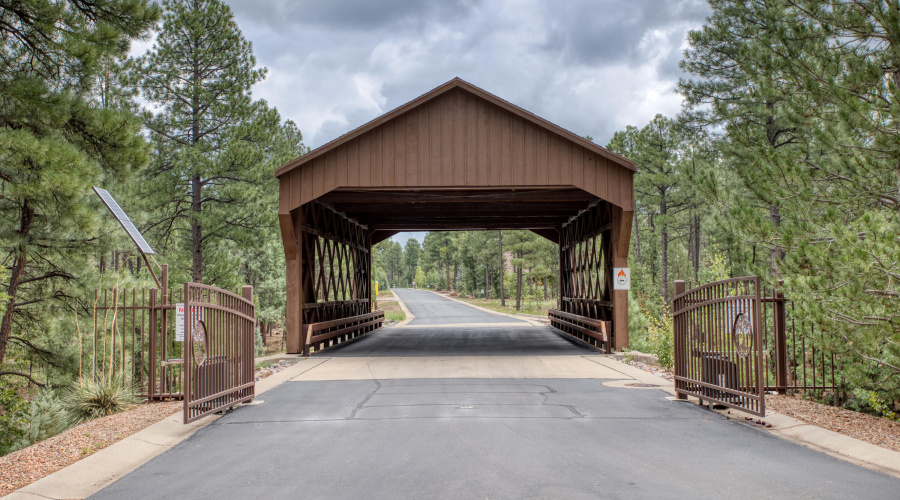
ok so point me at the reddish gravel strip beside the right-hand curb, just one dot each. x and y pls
(868, 428)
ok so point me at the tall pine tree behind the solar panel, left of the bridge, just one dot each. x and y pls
(211, 176)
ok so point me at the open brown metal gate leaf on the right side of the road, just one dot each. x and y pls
(719, 345)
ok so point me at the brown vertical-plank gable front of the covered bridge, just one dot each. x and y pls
(457, 137)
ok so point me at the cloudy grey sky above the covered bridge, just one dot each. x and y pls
(590, 66)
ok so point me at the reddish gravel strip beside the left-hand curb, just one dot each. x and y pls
(25, 466)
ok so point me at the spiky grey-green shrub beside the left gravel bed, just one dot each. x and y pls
(89, 399)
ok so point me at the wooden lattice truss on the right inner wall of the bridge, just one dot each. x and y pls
(586, 264)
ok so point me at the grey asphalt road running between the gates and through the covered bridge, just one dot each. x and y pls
(485, 438)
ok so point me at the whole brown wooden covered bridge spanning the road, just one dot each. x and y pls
(456, 158)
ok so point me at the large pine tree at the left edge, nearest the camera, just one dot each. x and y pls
(56, 141)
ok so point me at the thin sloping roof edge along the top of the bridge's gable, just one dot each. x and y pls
(456, 83)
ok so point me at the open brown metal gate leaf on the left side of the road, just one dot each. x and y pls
(219, 349)
